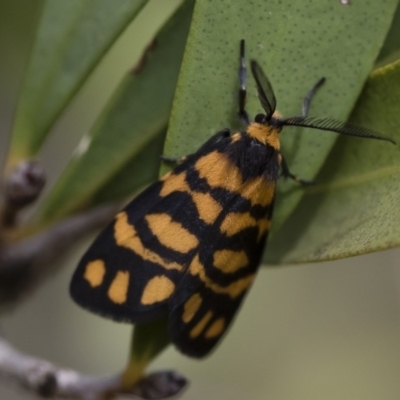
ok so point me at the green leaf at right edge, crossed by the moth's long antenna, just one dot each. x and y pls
(355, 207)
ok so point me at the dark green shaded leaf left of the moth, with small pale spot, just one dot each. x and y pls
(130, 127)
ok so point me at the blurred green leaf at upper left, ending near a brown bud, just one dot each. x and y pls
(72, 36)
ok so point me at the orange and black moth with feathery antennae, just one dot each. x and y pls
(189, 246)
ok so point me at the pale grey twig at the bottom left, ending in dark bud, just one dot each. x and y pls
(49, 381)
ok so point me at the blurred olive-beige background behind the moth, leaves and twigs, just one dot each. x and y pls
(311, 332)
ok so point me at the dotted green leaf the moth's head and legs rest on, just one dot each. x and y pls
(296, 43)
